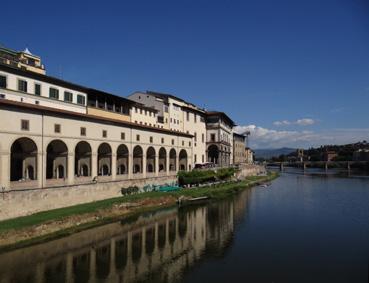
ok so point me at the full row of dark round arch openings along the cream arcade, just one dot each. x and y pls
(24, 160)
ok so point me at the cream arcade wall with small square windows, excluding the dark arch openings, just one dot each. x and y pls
(42, 132)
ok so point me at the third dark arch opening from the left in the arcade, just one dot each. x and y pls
(82, 159)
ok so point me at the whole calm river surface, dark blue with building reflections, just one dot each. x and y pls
(302, 228)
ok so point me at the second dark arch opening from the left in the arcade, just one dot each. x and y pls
(56, 160)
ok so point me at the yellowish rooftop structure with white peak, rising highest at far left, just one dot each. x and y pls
(24, 60)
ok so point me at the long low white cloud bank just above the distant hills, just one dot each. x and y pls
(267, 138)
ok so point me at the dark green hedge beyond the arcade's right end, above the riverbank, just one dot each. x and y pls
(204, 176)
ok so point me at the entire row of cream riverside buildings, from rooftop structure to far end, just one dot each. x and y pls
(58, 133)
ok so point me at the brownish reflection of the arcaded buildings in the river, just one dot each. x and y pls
(158, 247)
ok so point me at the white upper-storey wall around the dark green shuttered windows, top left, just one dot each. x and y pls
(12, 93)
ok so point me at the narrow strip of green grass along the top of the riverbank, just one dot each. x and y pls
(215, 192)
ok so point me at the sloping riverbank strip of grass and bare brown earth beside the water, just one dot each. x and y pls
(56, 223)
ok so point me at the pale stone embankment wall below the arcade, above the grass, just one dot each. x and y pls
(20, 203)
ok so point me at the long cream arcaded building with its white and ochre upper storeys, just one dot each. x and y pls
(57, 133)
